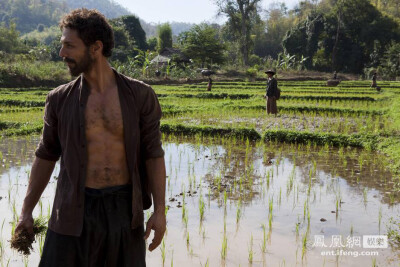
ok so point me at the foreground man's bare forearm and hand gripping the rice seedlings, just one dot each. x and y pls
(39, 178)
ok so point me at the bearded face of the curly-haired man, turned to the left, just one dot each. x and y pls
(74, 52)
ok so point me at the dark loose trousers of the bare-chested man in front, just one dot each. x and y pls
(107, 238)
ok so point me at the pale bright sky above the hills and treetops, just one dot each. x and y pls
(192, 11)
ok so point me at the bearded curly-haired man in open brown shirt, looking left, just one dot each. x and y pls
(106, 129)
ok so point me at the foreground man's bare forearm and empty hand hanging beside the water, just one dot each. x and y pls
(156, 176)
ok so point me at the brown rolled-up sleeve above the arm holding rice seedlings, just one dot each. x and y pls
(49, 147)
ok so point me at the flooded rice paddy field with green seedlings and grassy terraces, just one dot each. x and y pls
(309, 187)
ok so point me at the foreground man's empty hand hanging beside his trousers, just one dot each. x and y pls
(157, 222)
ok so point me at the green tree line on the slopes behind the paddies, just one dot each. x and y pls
(355, 36)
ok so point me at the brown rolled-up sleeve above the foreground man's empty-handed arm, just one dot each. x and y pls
(150, 134)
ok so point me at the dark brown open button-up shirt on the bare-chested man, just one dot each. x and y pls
(64, 135)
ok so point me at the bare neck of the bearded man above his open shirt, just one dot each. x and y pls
(100, 77)
